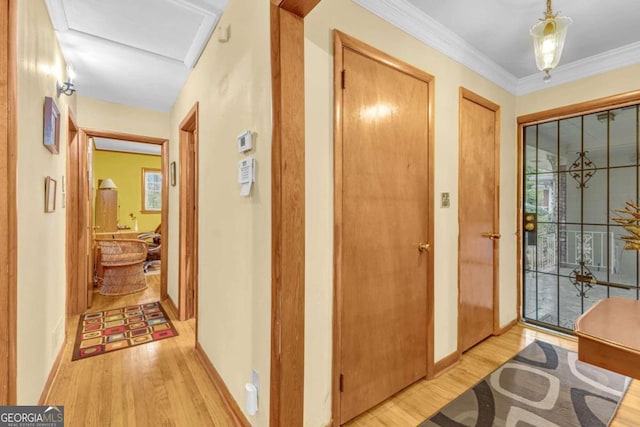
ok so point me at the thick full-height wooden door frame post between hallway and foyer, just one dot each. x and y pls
(287, 211)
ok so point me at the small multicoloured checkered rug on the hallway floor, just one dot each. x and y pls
(118, 328)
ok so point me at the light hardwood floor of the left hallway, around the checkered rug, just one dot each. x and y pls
(160, 383)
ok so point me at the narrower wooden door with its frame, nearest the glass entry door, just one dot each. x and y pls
(478, 219)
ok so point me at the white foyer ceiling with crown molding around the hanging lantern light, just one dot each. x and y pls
(492, 36)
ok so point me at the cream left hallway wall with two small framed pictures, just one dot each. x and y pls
(41, 236)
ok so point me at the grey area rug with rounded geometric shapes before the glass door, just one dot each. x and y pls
(543, 385)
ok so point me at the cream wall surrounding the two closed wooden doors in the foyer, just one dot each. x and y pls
(449, 76)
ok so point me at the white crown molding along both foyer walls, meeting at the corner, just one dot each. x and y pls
(413, 21)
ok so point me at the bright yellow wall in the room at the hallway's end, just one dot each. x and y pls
(125, 169)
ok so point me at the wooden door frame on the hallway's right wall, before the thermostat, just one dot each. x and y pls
(187, 308)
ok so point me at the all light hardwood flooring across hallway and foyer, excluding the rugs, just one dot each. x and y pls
(164, 383)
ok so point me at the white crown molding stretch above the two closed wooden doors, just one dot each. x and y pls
(418, 24)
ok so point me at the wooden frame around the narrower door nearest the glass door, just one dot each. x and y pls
(474, 97)
